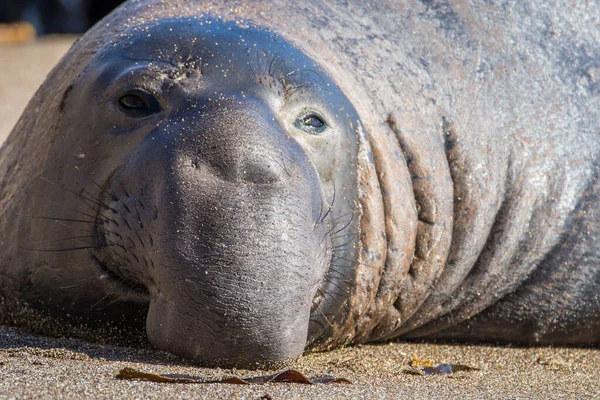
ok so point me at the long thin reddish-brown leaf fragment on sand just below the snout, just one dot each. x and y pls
(287, 376)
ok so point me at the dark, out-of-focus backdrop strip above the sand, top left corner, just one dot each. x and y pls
(56, 16)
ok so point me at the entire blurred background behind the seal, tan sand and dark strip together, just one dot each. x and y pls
(34, 35)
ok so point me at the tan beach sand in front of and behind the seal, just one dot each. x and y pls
(39, 367)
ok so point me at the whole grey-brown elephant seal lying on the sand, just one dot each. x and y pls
(250, 180)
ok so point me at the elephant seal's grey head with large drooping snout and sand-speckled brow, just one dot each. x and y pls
(219, 164)
